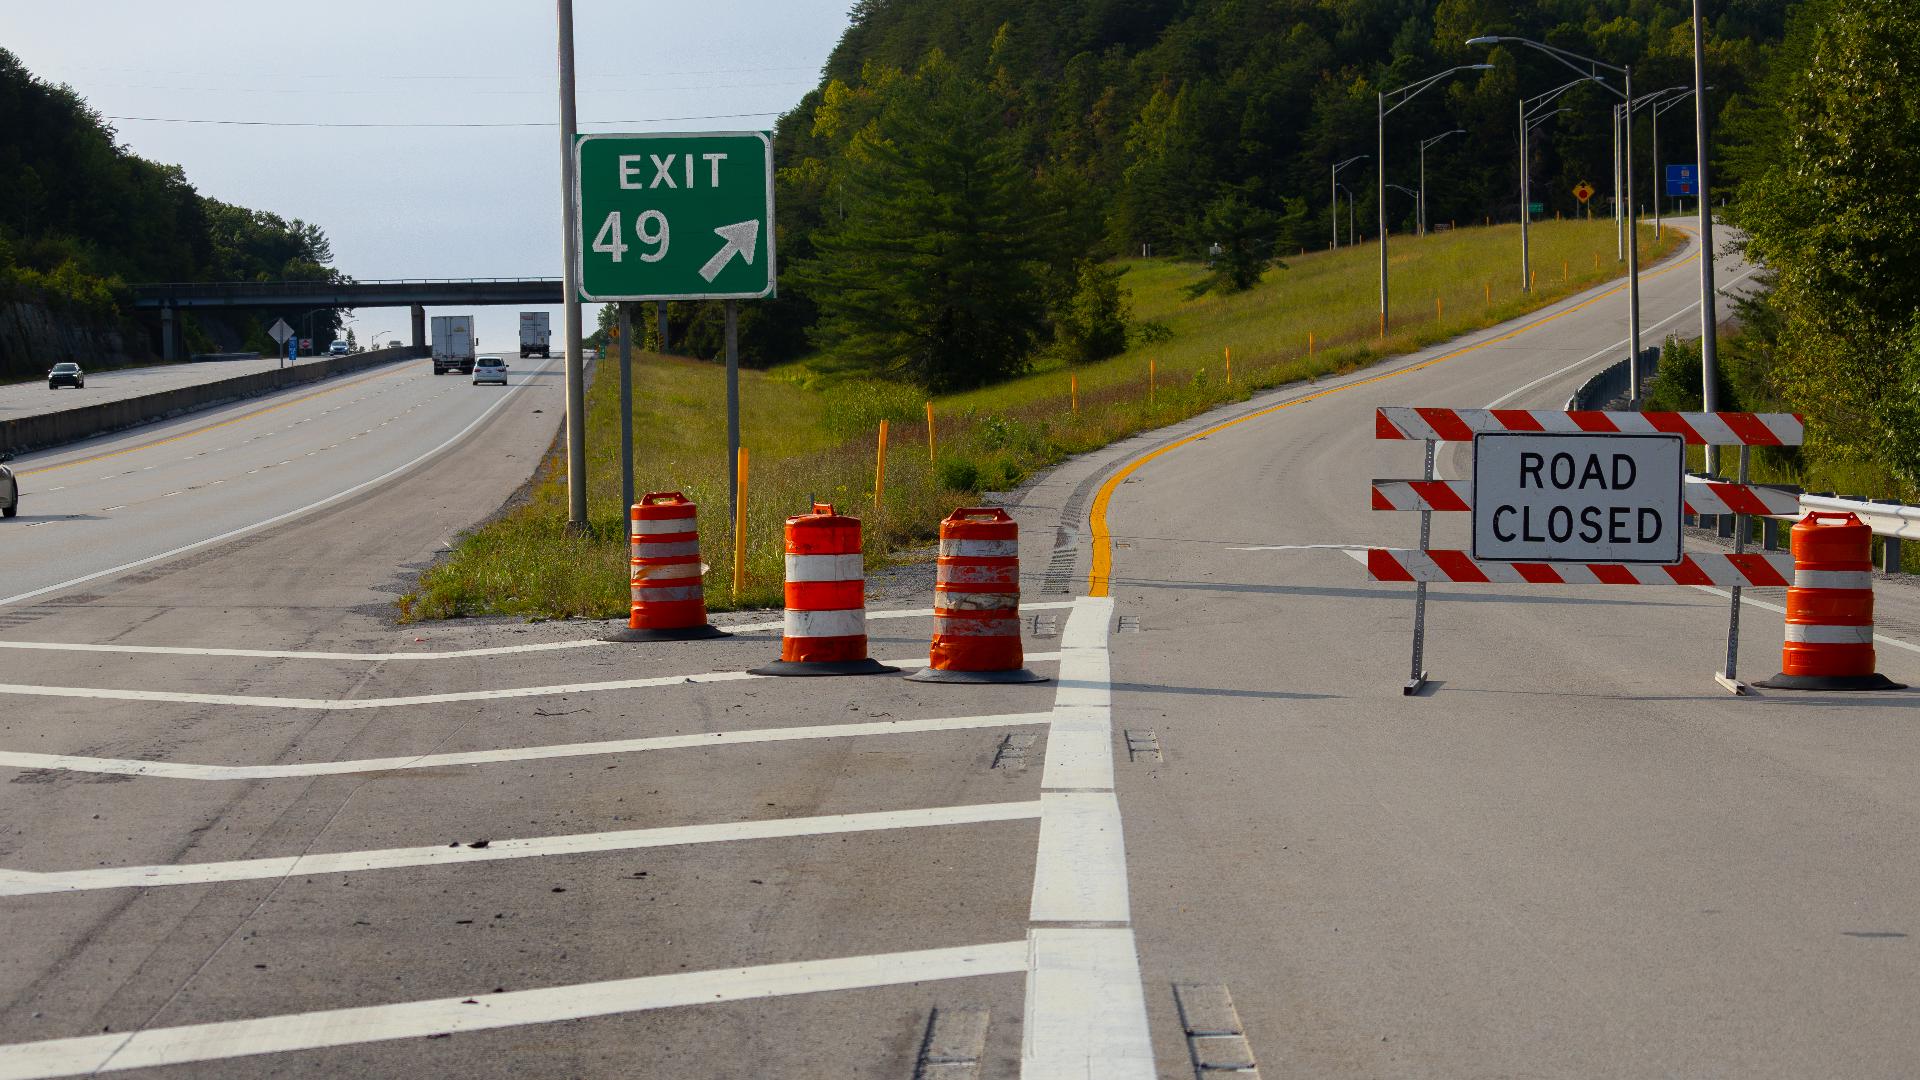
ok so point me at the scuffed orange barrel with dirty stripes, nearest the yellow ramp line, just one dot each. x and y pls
(976, 602)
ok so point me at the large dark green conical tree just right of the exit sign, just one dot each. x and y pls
(936, 268)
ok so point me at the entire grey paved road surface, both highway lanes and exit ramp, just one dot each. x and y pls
(254, 829)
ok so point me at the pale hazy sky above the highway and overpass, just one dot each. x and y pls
(416, 201)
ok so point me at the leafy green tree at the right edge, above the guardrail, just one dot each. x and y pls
(1836, 222)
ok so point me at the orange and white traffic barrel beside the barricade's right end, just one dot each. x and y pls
(1831, 608)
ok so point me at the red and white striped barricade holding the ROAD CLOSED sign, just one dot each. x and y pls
(1591, 487)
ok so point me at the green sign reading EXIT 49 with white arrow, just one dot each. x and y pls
(675, 216)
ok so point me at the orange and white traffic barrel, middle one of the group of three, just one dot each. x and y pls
(827, 599)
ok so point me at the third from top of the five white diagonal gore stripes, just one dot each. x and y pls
(189, 772)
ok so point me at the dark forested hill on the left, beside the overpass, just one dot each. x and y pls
(82, 216)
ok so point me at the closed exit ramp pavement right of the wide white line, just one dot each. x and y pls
(1577, 856)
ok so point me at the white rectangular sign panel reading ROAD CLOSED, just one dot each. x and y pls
(1577, 499)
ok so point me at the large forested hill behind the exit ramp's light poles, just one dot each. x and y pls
(1182, 122)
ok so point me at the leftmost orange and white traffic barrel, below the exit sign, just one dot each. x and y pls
(665, 574)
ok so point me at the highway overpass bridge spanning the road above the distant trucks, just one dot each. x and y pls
(408, 293)
